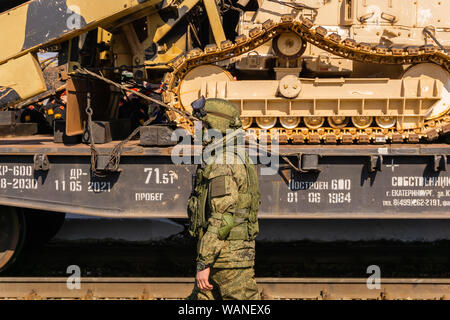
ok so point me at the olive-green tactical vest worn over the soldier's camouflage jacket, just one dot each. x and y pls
(242, 224)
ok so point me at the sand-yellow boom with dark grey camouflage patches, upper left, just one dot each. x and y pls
(39, 24)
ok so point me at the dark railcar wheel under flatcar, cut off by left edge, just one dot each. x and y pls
(12, 235)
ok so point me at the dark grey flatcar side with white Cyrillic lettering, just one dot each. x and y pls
(354, 181)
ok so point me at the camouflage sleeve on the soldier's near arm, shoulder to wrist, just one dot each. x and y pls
(222, 201)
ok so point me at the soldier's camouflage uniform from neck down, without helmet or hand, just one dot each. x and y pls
(231, 260)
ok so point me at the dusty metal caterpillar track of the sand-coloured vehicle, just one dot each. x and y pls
(331, 43)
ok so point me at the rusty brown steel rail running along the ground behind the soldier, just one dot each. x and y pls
(179, 288)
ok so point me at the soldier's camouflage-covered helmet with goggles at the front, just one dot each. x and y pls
(218, 114)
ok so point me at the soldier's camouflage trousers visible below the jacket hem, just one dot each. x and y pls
(229, 284)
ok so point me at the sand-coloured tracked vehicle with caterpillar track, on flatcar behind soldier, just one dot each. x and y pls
(329, 71)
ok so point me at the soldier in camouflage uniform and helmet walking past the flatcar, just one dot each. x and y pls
(223, 213)
